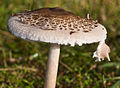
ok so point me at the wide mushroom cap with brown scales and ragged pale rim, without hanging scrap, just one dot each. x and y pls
(55, 25)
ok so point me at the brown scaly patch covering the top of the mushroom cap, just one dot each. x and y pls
(56, 17)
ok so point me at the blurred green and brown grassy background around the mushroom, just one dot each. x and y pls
(23, 63)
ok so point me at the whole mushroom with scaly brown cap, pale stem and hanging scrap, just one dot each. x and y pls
(58, 27)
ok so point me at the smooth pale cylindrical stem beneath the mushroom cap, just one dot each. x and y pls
(52, 66)
